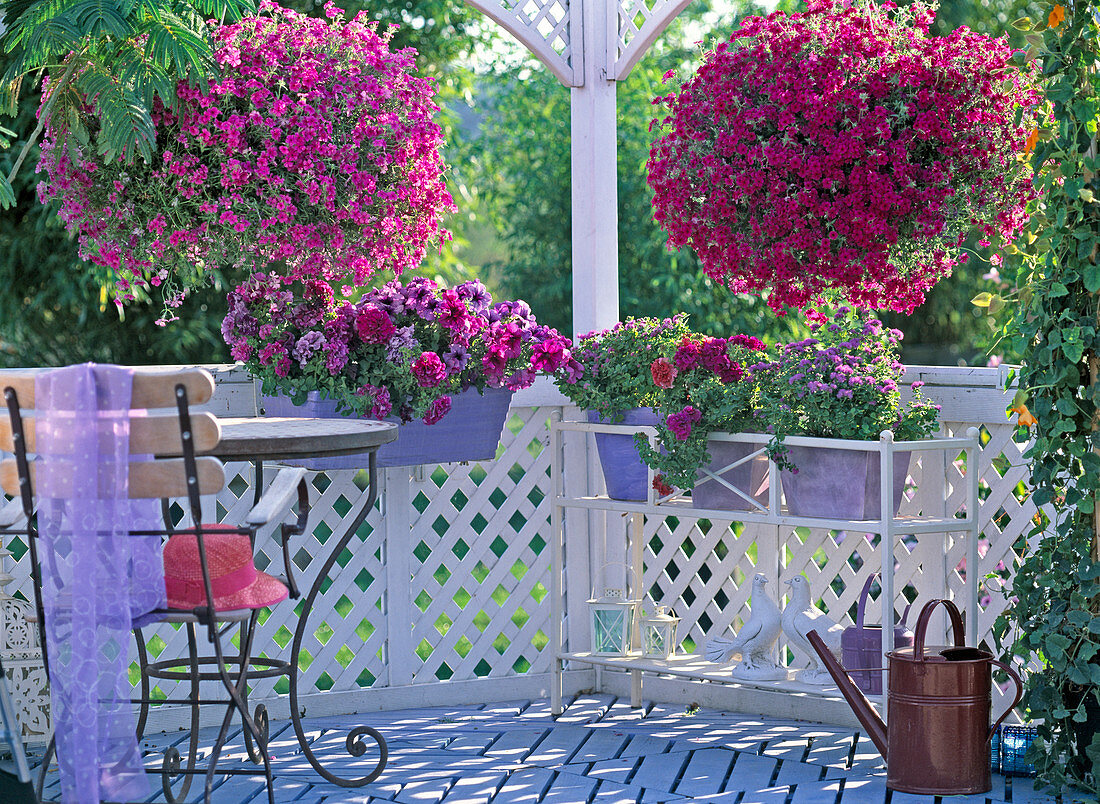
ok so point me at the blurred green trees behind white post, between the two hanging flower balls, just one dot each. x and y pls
(522, 156)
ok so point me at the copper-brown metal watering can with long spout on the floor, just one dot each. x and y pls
(937, 740)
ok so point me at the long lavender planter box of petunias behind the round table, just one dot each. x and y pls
(469, 433)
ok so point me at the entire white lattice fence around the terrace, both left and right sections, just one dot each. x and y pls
(449, 587)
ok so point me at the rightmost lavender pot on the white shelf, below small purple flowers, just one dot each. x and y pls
(840, 484)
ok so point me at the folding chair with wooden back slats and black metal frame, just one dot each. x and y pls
(166, 426)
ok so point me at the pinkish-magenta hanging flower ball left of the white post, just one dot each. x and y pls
(315, 147)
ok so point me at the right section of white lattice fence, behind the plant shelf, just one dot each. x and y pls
(703, 569)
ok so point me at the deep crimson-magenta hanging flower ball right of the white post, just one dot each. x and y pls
(844, 150)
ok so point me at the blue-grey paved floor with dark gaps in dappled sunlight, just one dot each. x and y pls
(601, 751)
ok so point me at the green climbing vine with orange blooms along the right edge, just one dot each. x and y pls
(1057, 611)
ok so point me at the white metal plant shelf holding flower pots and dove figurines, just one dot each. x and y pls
(775, 514)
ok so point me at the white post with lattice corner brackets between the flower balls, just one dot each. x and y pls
(589, 46)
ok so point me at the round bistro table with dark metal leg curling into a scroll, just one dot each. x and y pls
(284, 439)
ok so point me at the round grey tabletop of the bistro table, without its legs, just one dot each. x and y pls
(274, 439)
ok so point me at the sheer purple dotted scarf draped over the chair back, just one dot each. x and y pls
(96, 577)
